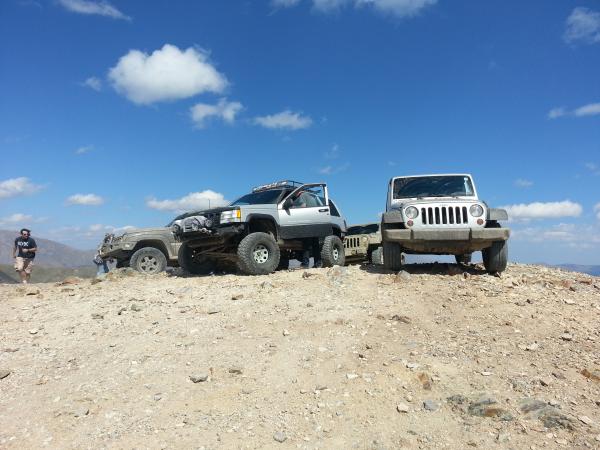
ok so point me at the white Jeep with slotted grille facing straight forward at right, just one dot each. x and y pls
(442, 215)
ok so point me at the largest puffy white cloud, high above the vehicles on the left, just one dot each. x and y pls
(166, 74)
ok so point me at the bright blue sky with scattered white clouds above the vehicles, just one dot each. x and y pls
(120, 113)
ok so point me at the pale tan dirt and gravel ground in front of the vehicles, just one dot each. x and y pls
(437, 356)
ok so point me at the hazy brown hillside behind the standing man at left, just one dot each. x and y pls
(51, 253)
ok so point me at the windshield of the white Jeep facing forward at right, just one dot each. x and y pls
(435, 186)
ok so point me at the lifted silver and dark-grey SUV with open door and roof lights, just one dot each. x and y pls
(262, 230)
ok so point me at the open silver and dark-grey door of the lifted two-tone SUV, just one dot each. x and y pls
(305, 213)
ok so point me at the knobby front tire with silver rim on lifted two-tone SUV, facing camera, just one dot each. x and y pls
(258, 254)
